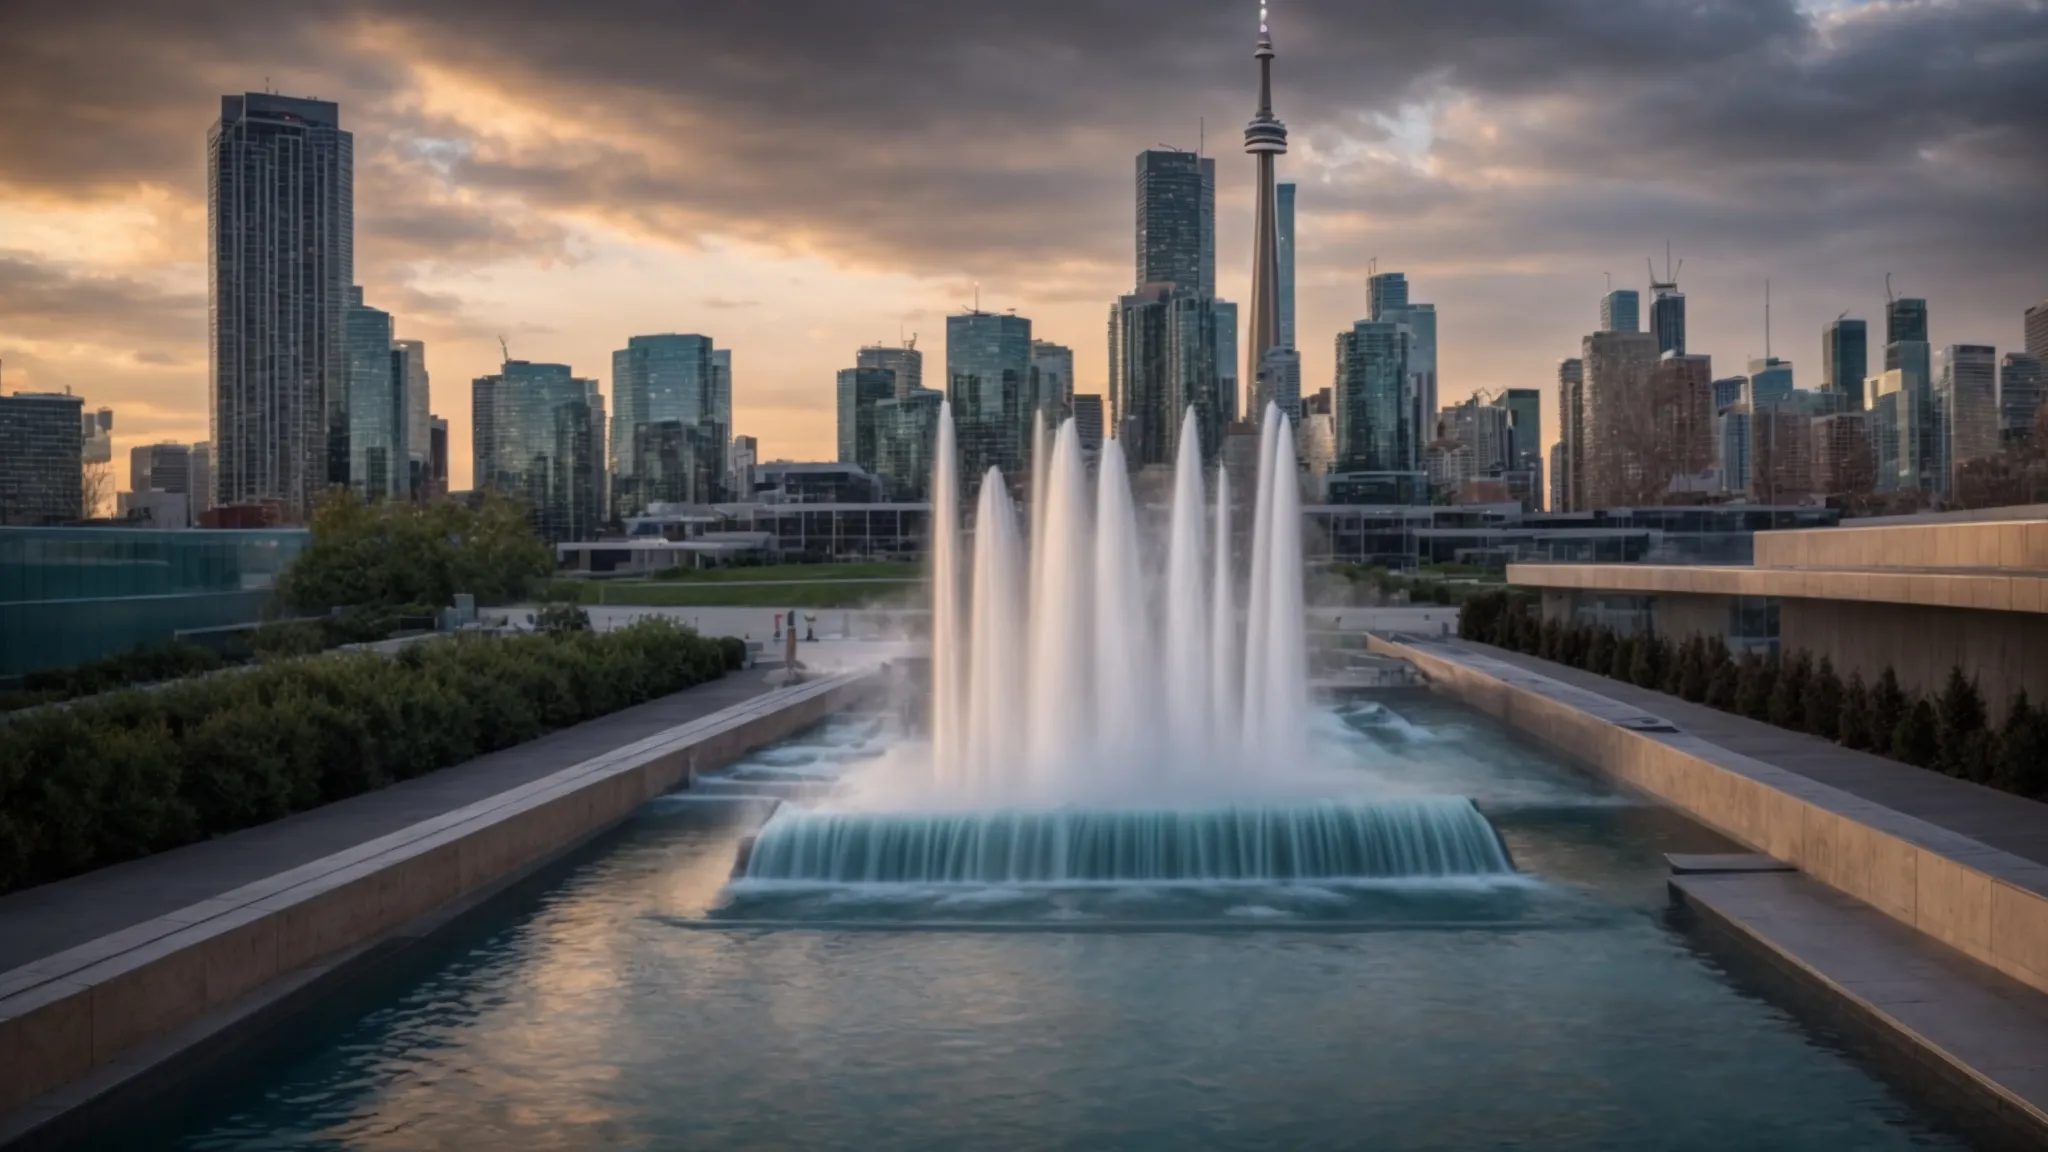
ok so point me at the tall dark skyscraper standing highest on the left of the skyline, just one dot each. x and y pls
(282, 259)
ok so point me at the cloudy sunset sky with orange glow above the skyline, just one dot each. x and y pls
(800, 177)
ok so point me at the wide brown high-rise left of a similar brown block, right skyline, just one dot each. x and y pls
(1621, 421)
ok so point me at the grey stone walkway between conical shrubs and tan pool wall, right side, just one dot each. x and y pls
(1990, 817)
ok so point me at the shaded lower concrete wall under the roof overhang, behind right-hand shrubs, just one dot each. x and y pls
(2004, 651)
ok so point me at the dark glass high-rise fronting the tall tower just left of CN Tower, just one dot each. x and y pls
(1164, 364)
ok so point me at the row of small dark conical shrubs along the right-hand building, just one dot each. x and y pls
(1947, 733)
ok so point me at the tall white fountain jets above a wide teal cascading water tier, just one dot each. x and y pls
(1097, 725)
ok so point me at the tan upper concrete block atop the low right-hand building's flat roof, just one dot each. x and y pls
(2004, 544)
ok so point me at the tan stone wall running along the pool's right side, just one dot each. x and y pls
(1986, 903)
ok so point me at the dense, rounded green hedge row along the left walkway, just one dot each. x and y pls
(138, 772)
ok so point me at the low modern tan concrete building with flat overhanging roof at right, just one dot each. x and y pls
(1918, 595)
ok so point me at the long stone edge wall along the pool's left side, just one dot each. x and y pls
(85, 1010)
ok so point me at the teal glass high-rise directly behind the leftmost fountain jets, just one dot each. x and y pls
(988, 384)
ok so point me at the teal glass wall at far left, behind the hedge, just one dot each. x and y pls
(75, 595)
